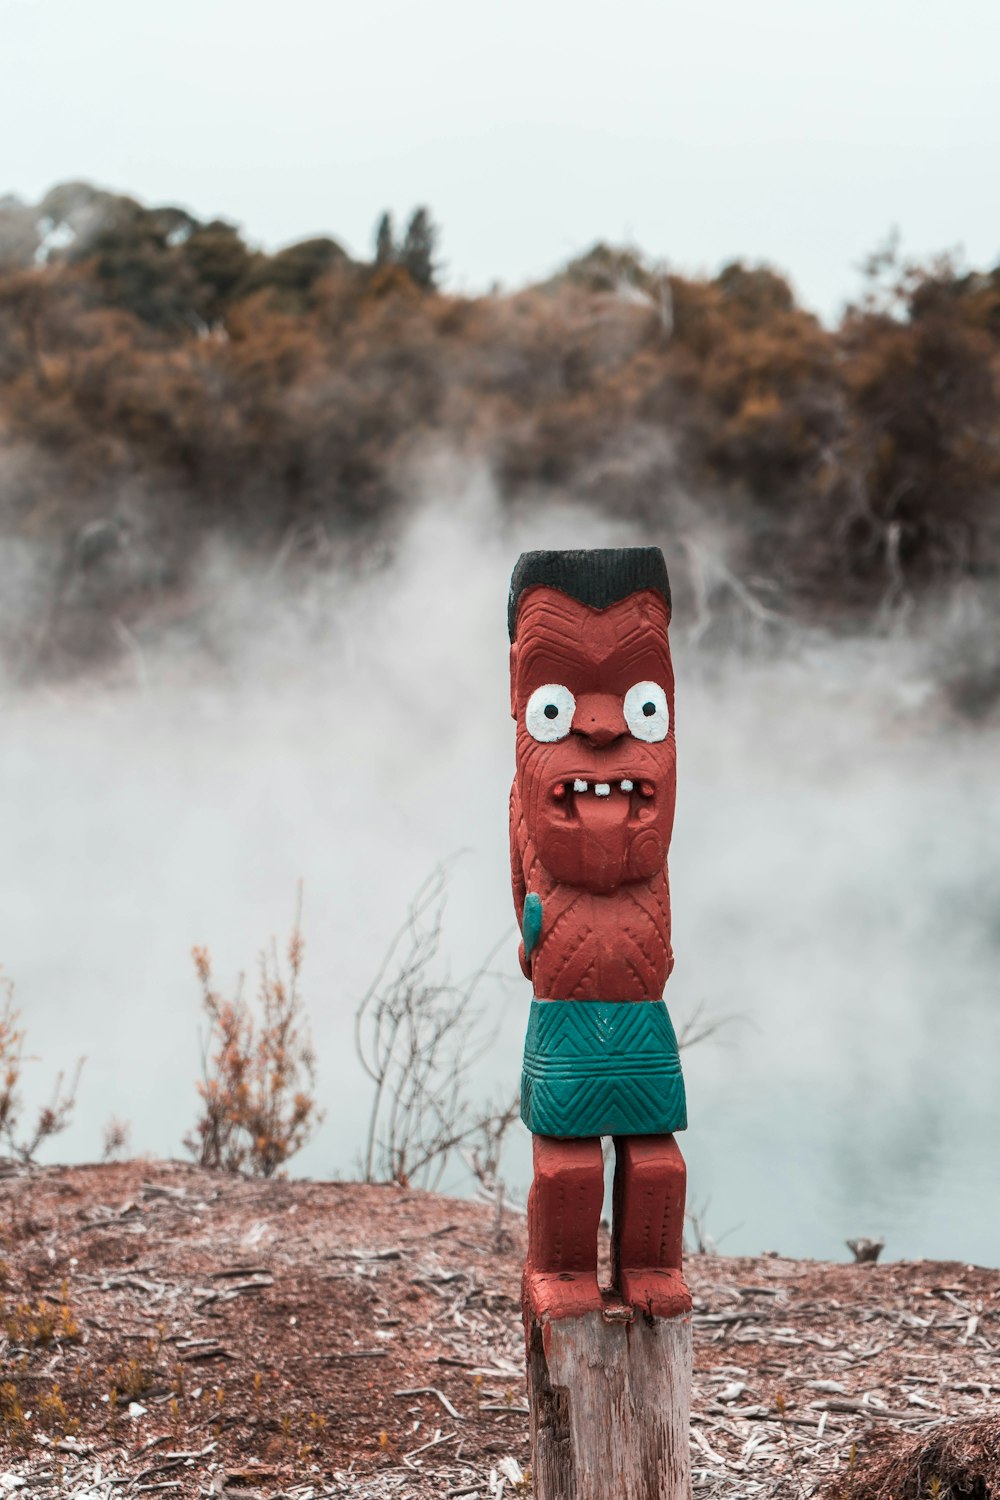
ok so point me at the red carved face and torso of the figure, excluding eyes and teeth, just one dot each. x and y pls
(600, 869)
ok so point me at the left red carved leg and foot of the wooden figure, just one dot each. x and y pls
(564, 1211)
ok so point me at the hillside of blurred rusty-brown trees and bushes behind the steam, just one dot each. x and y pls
(164, 385)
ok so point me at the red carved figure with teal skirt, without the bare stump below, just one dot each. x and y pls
(591, 818)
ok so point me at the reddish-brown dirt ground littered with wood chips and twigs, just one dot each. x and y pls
(172, 1331)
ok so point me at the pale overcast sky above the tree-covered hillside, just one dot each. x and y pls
(792, 133)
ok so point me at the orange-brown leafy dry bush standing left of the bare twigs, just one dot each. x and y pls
(259, 1105)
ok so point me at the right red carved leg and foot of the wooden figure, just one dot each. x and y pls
(648, 1231)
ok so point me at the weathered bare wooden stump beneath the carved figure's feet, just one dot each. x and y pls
(609, 1396)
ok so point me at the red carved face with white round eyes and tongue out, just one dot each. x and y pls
(593, 695)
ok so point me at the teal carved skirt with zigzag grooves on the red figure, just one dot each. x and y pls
(602, 1069)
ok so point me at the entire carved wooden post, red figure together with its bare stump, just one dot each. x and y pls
(609, 1369)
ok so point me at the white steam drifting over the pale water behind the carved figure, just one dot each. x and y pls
(834, 871)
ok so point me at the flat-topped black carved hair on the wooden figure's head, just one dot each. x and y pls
(599, 577)
